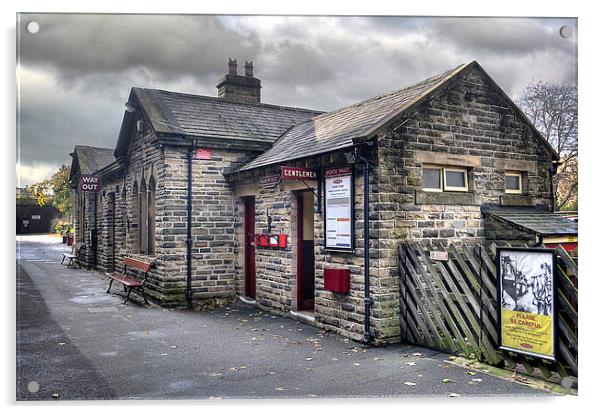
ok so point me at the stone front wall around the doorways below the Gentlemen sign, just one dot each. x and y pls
(276, 269)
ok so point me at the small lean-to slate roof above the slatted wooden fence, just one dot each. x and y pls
(542, 223)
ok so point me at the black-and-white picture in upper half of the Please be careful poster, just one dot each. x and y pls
(527, 281)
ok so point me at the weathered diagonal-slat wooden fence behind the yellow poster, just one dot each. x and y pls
(451, 305)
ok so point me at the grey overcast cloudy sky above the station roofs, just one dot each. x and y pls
(75, 74)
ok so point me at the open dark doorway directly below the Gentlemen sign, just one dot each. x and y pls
(305, 251)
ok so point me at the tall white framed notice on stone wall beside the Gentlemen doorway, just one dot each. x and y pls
(338, 217)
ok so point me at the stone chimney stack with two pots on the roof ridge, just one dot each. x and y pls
(236, 88)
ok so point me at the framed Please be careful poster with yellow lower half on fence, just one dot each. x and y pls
(527, 301)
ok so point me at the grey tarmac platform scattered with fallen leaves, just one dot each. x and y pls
(78, 342)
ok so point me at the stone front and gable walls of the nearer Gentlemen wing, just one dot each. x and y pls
(469, 125)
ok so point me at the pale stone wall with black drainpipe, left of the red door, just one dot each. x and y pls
(213, 236)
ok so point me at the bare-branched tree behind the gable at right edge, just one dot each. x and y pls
(553, 110)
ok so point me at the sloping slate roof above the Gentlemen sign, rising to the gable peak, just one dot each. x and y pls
(338, 129)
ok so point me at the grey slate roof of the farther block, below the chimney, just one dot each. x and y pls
(210, 117)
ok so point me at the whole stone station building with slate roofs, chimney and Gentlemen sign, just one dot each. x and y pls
(232, 198)
